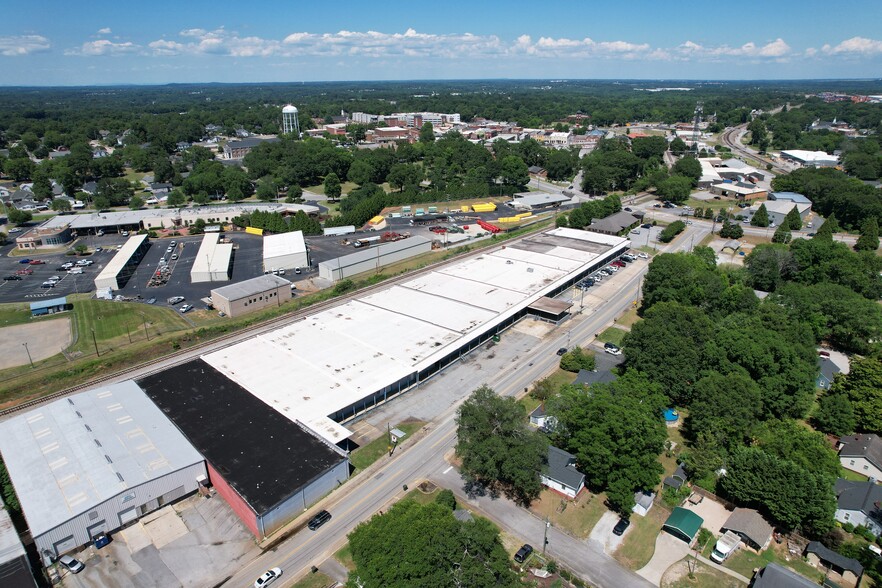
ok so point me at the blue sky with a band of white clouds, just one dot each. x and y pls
(125, 42)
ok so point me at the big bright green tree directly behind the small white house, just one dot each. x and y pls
(616, 432)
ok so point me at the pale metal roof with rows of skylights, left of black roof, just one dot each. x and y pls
(70, 455)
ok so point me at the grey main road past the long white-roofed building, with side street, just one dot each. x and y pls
(420, 459)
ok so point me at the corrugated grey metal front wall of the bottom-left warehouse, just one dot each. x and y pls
(145, 495)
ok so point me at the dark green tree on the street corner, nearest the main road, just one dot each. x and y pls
(497, 448)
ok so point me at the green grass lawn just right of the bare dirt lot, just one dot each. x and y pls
(112, 322)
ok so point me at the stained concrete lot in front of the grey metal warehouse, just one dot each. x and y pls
(195, 542)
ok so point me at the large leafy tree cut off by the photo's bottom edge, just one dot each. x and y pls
(424, 545)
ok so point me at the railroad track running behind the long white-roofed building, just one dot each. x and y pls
(153, 366)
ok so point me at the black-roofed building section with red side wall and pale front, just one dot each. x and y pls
(266, 466)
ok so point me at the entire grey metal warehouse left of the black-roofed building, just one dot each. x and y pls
(94, 461)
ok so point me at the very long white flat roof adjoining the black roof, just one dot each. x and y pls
(337, 357)
